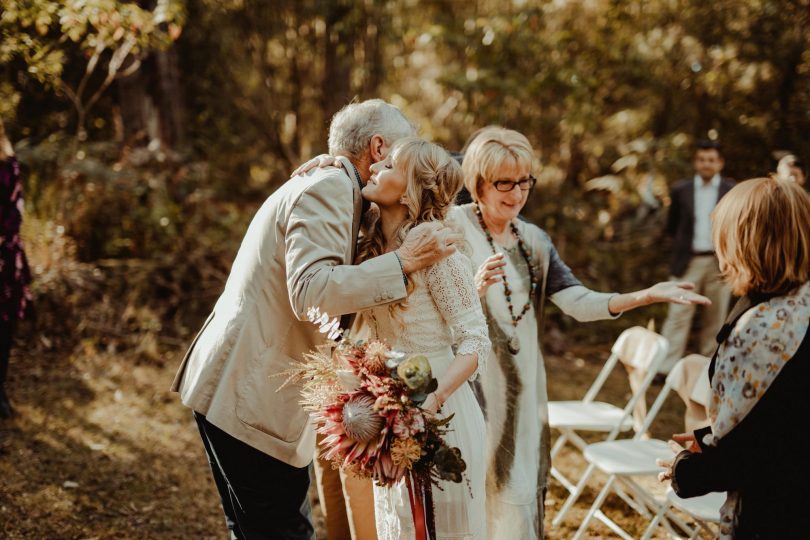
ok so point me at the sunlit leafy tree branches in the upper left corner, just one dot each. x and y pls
(52, 35)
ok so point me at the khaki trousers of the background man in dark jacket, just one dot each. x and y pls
(704, 272)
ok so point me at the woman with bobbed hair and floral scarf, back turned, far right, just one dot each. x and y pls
(757, 445)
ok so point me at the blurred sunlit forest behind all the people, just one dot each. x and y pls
(149, 132)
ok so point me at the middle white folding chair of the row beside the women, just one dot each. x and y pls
(624, 459)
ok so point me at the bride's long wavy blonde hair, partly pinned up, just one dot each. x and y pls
(433, 179)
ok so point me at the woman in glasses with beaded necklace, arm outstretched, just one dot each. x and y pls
(518, 268)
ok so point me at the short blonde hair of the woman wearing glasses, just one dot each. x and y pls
(490, 149)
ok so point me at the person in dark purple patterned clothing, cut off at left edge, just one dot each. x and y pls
(15, 276)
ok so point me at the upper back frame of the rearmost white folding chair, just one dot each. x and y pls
(641, 351)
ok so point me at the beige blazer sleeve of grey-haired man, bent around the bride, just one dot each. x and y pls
(317, 243)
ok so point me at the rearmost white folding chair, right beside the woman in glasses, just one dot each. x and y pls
(640, 351)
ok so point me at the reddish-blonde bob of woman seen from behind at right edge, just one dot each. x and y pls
(761, 231)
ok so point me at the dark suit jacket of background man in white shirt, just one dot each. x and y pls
(681, 221)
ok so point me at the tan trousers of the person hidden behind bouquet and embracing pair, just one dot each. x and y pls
(347, 503)
